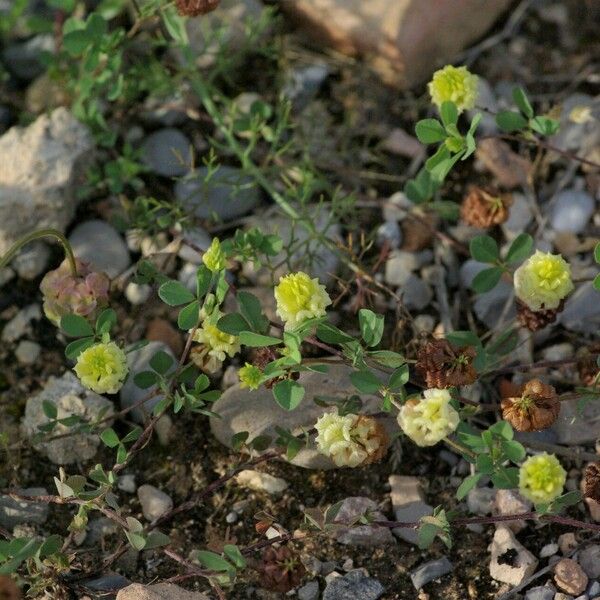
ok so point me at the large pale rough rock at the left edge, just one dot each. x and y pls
(40, 167)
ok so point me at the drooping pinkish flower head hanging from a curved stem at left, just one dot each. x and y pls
(85, 295)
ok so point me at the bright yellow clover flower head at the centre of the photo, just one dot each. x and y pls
(300, 298)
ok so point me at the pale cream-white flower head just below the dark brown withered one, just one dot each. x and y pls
(428, 420)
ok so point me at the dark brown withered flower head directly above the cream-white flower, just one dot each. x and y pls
(443, 366)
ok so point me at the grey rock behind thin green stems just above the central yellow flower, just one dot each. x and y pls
(324, 261)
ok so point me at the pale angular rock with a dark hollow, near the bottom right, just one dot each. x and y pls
(510, 562)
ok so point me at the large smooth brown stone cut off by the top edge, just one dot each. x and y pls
(403, 40)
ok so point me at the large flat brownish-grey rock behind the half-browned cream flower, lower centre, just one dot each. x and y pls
(256, 412)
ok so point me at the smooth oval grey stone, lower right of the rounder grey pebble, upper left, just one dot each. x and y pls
(228, 194)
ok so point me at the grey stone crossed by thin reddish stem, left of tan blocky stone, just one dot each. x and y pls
(362, 535)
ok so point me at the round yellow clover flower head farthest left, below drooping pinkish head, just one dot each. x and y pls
(102, 368)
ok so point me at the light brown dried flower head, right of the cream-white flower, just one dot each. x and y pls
(535, 409)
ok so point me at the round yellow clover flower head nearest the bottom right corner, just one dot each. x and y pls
(541, 478)
